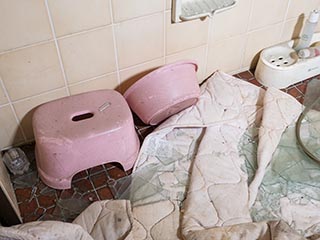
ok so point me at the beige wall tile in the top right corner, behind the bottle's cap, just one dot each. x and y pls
(301, 8)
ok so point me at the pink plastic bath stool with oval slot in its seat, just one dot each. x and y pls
(82, 131)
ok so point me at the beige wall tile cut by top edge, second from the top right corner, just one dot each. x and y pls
(267, 12)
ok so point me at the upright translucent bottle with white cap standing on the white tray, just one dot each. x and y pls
(308, 30)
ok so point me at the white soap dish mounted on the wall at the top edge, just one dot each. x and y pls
(185, 10)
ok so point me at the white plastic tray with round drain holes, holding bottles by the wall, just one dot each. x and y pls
(279, 66)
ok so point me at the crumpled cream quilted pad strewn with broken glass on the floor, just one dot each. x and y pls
(215, 171)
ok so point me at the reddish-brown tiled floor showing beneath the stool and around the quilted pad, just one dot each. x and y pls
(40, 202)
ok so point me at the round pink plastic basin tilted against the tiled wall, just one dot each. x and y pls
(164, 92)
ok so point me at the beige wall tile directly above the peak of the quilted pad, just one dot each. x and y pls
(226, 55)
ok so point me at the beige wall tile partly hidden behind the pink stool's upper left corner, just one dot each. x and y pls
(25, 108)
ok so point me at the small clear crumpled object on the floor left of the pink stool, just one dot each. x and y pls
(16, 161)
